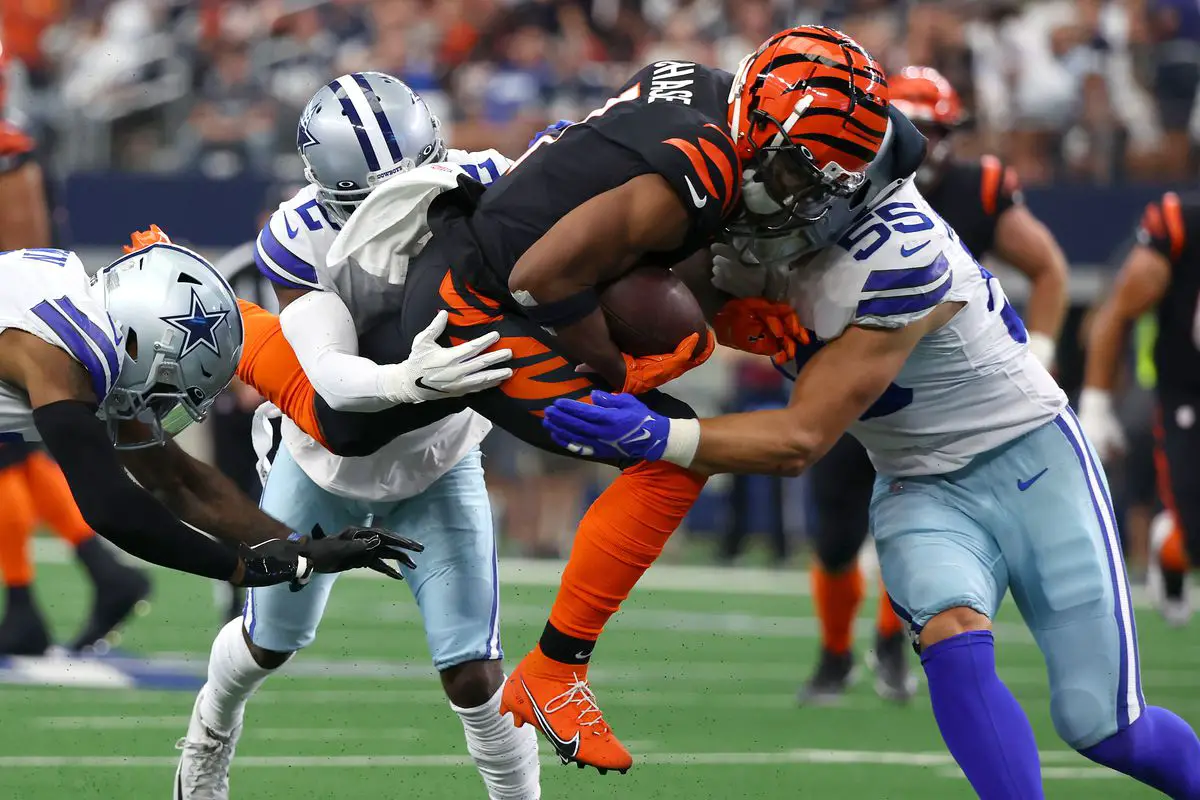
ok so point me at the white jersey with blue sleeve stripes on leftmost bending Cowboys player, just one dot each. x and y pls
(49, 293)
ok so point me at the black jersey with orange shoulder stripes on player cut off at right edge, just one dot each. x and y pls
(1172, 226)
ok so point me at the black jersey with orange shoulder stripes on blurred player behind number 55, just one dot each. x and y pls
(971, 196)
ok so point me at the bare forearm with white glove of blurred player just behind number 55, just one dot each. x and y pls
(1023, 242)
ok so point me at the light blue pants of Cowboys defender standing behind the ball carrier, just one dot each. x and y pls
(455, 582)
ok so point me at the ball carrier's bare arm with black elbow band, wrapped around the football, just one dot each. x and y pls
(556, 280)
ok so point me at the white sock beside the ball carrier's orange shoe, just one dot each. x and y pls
(507, 757)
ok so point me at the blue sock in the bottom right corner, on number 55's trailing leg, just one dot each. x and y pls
(1160, 750)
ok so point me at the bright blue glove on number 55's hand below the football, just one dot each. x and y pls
(613, 428)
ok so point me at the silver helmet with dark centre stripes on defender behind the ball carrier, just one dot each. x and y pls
(361, 130)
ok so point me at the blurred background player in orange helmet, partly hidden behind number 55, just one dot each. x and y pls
(981, 200)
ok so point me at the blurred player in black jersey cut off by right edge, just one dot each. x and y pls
(1161, 273)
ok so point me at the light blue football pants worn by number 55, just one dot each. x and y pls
(1035, 518)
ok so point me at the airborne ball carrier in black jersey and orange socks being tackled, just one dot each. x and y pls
(655, 176)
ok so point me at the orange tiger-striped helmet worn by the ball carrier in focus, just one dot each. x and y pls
(808, 112)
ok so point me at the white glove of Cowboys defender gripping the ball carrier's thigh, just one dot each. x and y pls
(434, 372)
